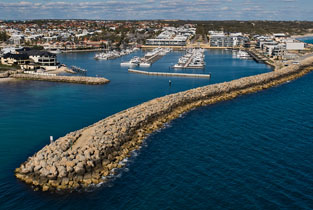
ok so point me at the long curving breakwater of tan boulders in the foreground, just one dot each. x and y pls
(87, 156)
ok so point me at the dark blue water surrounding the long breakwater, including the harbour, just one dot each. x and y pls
(254, 152)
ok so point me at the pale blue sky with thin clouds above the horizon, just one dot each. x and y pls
(154, 9)
